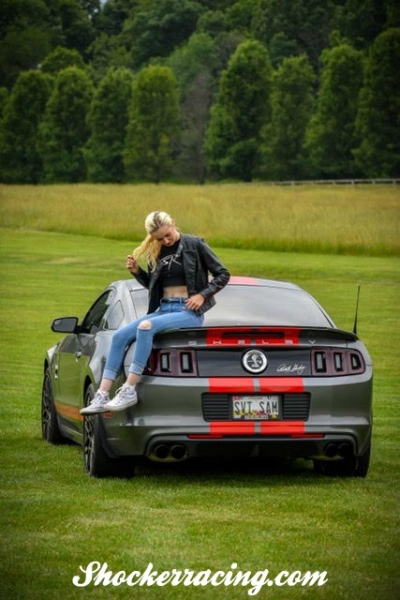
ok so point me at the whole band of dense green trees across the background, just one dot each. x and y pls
(162, 90)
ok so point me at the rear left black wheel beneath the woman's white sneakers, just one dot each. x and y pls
(97, 462)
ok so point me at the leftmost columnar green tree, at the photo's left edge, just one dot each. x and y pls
(19, 156)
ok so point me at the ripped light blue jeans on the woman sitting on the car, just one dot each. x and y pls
(172, 314)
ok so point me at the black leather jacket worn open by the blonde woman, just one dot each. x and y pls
(198, 260)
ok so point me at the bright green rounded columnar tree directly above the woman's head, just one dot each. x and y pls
(153, 125)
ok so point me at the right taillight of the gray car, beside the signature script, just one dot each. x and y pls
(330, 362)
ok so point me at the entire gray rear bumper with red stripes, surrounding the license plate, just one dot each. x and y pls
(168, 424)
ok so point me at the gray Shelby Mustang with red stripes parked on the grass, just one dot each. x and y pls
(268, 375)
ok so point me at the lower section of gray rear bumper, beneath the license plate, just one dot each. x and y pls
(288, 440)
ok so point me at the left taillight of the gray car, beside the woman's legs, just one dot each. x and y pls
(172, 363)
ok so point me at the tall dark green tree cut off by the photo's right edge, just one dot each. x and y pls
(378, 120)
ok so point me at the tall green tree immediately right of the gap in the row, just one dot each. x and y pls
(241, 111)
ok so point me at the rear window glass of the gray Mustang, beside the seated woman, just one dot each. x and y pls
(261, 305)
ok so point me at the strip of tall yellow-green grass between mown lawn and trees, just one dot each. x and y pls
(307, 218)
